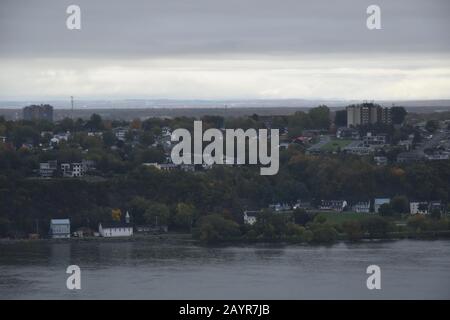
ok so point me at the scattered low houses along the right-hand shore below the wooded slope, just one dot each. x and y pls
(416, 207)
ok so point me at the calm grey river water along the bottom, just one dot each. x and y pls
(175, 269)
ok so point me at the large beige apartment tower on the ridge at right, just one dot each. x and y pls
(367, 113)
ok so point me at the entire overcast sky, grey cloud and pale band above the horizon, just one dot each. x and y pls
(194, 49)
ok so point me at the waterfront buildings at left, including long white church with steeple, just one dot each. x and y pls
(61, 229)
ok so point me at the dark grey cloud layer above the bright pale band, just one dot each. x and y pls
(142, 28)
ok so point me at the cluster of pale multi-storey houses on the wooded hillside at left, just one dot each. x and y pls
(69, 170)
